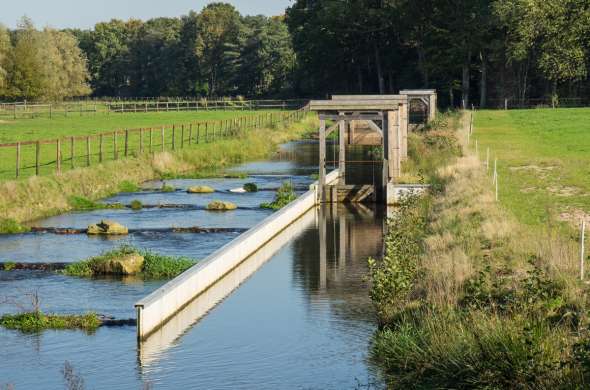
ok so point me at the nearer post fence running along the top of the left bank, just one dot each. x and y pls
(44, 157)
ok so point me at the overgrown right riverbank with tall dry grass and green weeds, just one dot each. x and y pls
(479, 300)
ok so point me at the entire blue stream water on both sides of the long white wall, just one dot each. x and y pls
(299, 318)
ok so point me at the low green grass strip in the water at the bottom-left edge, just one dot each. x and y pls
(32, 322)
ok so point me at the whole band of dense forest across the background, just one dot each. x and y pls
(472, 51)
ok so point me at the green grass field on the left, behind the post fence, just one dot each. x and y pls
(113, 147)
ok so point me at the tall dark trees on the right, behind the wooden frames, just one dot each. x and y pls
(471, 51)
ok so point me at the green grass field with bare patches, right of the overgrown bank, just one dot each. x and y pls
(543, 161)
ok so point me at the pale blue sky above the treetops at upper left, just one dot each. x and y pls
(86, 13)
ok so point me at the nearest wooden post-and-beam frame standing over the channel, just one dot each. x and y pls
(385, 114)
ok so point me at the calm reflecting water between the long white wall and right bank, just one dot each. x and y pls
(303, 320)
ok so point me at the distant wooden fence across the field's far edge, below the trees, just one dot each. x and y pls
(27, 110)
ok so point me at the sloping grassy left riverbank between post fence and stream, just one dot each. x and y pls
(38, 197)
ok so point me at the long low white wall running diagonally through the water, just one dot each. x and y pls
(161, 305)
